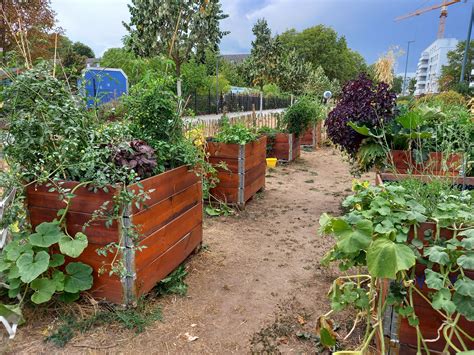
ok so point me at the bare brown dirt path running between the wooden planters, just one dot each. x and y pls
(256, 286)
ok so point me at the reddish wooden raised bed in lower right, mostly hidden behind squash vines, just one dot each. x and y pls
(399, 334)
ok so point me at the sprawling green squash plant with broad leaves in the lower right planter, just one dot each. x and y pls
(375, 234)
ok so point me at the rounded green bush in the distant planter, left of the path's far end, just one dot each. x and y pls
(300, 115)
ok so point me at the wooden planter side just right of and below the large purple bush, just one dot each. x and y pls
(436, 164)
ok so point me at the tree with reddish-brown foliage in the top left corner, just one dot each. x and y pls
(32, 20)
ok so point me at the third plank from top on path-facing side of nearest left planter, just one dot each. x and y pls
(160, 241)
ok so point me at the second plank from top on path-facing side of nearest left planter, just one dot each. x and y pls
(156, 216)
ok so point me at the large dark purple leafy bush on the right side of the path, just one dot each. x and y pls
(364, 104)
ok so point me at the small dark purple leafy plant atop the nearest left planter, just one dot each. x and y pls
(137, 155)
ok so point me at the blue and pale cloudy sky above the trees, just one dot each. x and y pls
(368, 25)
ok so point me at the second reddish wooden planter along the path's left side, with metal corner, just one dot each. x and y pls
(245, 173)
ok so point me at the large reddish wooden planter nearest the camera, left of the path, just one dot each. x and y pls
(169, 227)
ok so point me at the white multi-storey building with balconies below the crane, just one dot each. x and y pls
(430, 64)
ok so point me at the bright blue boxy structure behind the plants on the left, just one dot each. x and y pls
(101, 85)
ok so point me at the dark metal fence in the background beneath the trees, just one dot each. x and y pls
(207, 104)
